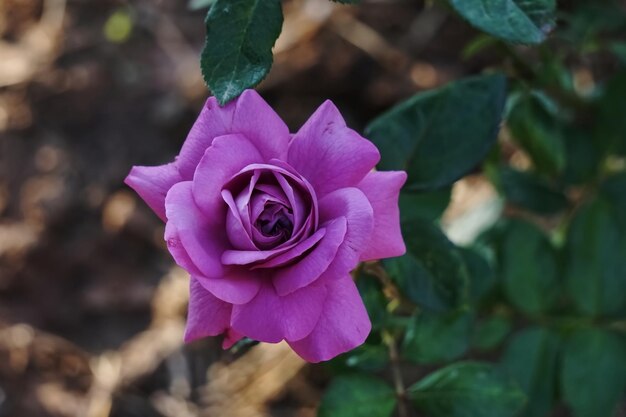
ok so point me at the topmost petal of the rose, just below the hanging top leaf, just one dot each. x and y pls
(261, 125)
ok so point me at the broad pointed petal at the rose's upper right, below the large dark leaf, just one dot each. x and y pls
(330, 155)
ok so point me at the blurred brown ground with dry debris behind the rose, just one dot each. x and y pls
(92, 307)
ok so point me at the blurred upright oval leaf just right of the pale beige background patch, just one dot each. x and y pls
(528, 267)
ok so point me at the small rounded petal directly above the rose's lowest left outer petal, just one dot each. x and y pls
(237, 286)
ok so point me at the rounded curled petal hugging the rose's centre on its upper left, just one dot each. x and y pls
(226, 157)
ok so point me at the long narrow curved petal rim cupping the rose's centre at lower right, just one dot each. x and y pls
(308, 269)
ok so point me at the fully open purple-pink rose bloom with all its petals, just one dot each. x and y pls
(269, 225)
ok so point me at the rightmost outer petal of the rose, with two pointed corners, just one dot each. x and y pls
(382, 190)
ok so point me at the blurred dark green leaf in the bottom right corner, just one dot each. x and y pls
(593, 375)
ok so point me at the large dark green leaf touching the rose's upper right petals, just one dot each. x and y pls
(440, 135)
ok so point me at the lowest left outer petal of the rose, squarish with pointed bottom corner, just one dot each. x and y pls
(207, 316)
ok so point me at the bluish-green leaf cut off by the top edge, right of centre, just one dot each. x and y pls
(517, 21)
